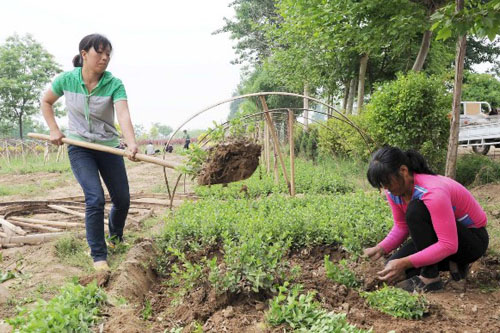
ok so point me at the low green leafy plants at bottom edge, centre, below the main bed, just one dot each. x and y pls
(303, 314)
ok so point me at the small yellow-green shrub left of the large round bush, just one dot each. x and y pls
(339, 138)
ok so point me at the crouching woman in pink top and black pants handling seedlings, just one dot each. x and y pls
(446, 225)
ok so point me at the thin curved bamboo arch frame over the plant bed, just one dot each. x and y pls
(261, 95)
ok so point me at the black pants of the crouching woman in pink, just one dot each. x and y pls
(472, 242)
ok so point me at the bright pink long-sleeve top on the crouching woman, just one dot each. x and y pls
(448, 202)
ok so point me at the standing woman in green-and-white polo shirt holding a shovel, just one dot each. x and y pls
(92, 97)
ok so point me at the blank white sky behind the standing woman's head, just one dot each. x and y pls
(163, 51)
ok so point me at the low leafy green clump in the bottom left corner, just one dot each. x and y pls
(75, 309)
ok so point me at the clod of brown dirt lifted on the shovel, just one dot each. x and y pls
(229, 162)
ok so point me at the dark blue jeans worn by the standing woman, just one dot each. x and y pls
(87, 164)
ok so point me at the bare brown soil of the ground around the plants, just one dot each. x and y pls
(465, 306)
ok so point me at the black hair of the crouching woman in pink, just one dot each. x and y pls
(386, 161)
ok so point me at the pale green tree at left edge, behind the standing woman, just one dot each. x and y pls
(25, 69)
